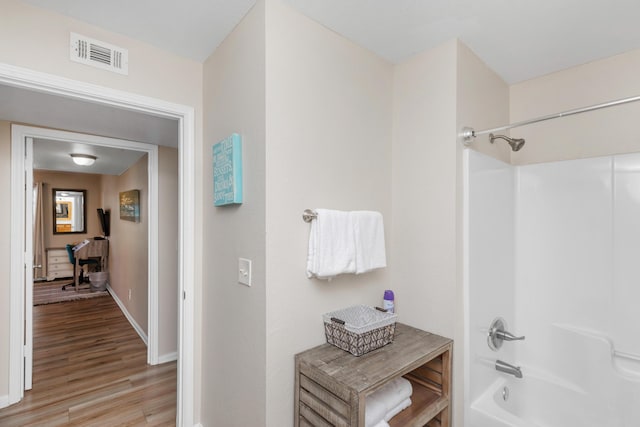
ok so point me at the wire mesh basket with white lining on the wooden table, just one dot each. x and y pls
(359, 329)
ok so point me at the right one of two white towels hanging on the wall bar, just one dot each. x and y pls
(368, 230)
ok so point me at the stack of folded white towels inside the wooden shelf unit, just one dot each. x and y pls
(390, 399)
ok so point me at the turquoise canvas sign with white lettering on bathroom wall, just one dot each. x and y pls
(227, 171)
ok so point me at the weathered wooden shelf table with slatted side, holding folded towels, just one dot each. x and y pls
(331, 385)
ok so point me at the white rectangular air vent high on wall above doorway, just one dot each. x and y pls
(99, 54)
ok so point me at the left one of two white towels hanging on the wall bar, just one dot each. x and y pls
(331, 245)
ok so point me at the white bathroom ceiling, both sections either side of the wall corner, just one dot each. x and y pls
(519, 39)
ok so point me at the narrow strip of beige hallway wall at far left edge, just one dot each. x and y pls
(5, 254)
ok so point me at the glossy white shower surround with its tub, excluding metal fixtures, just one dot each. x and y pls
(554, 249)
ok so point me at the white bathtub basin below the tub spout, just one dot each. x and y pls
(540, 400)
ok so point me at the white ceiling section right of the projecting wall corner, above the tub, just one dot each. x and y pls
(519, 39)
